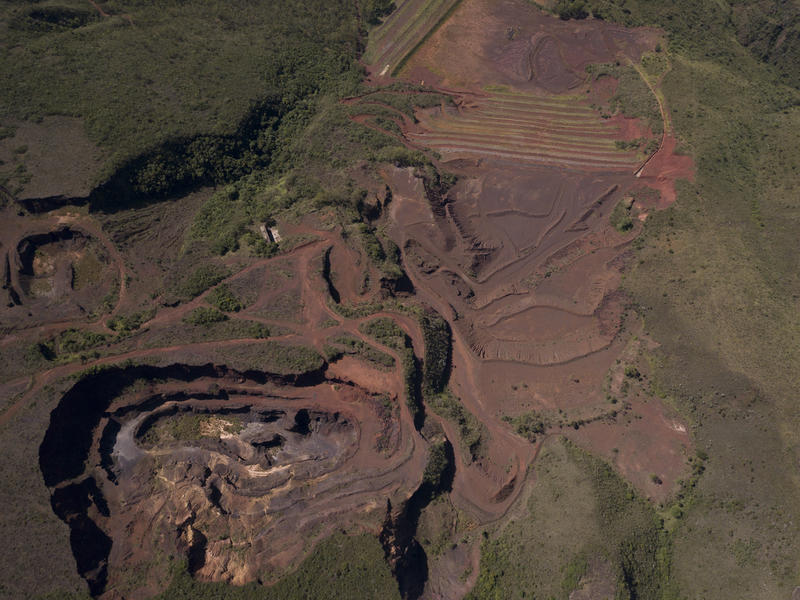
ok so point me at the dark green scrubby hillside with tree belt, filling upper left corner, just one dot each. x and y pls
(185, 113)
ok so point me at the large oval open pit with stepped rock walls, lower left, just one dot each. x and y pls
(234, 475)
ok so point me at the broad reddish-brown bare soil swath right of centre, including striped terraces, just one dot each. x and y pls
(521, 257)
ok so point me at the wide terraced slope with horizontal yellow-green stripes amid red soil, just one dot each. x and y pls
(529, 129)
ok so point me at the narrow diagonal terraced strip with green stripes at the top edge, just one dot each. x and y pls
(404, 31)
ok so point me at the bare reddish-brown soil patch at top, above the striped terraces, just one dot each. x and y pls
(488, 43)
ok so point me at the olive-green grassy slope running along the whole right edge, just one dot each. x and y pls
(716, 278)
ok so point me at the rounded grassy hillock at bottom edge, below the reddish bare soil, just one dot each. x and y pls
(578, 508)
